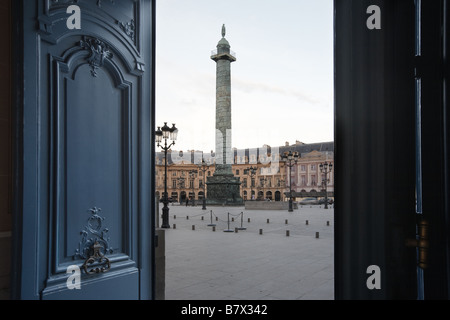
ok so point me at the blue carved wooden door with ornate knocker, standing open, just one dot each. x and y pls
(84, 226)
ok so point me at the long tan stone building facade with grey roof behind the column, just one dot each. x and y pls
(270, 180)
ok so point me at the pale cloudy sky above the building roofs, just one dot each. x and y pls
(281, 82)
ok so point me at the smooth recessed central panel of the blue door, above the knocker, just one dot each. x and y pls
(93, 177)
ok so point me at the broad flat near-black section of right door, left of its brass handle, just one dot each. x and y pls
(374, 150)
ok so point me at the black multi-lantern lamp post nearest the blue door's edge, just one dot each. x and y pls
(165, 133)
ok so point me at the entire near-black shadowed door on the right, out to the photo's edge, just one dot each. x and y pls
(392, 143)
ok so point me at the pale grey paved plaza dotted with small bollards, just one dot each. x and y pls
(203, 264)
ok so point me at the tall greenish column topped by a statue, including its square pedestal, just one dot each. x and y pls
(223, 187)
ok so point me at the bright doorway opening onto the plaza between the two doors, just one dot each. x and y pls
(281, 102)
